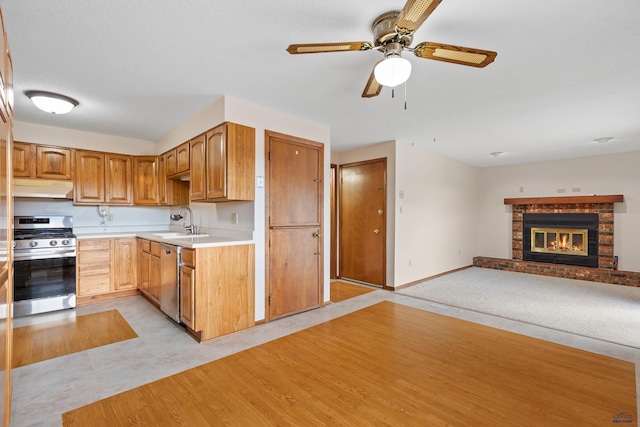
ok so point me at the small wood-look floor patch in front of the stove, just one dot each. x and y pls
(45, 341)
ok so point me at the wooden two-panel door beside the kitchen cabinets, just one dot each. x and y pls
(294, 228)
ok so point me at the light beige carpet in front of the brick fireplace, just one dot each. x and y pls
(596, 310)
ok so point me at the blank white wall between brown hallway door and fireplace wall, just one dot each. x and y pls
(436, 222)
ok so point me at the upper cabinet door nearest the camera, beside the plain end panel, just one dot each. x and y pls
(216, 165)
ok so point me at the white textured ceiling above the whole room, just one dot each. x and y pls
(567, 71)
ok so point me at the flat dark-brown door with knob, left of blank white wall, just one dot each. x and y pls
(362, 211)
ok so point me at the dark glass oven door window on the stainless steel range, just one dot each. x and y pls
(44, 278)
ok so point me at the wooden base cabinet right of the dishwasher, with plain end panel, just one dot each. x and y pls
(217, 292)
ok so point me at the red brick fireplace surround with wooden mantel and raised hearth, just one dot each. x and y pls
(602, 205)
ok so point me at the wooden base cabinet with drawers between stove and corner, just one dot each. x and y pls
(105, 269)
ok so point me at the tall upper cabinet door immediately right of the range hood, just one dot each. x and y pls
(88, 186)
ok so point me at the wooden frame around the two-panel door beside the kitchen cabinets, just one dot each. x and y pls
(268, 134)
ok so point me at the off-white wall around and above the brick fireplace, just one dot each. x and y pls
(604, 175)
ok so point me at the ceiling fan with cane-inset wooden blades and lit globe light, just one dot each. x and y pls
(393, 33)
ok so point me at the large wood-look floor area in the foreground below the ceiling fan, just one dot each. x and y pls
(386, 364)
